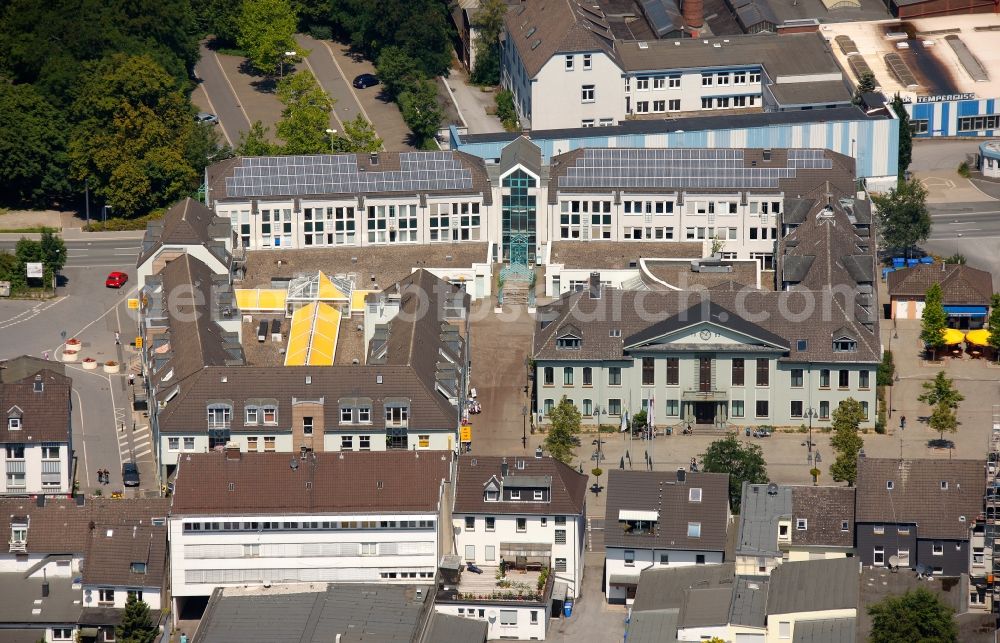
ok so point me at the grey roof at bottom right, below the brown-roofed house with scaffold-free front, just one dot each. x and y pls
(813, 586)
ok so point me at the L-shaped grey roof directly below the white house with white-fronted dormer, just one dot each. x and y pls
(665, 587)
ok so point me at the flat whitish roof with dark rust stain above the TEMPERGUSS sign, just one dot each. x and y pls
(933, 62)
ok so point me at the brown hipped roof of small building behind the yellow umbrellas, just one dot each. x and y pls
(960, 284)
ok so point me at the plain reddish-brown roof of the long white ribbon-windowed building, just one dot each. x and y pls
(353, 481)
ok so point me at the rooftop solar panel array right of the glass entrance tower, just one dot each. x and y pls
(671, 168)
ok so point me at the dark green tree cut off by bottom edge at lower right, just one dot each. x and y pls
(917, 615)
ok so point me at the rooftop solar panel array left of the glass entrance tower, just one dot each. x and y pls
(339, 174)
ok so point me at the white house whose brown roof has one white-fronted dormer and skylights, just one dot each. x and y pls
(661, 519)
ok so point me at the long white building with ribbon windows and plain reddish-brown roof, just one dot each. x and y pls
(253, 519)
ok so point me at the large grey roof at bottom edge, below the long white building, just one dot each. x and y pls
(317, 613)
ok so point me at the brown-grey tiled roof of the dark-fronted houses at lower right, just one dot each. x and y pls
(917, 495)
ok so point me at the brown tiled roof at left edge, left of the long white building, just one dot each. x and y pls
(62, 526)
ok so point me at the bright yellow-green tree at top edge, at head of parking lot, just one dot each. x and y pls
(266, 31)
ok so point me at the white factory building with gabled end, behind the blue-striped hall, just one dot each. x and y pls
(566, 68)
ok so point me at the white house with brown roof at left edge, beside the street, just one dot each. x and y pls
(36, 439)
